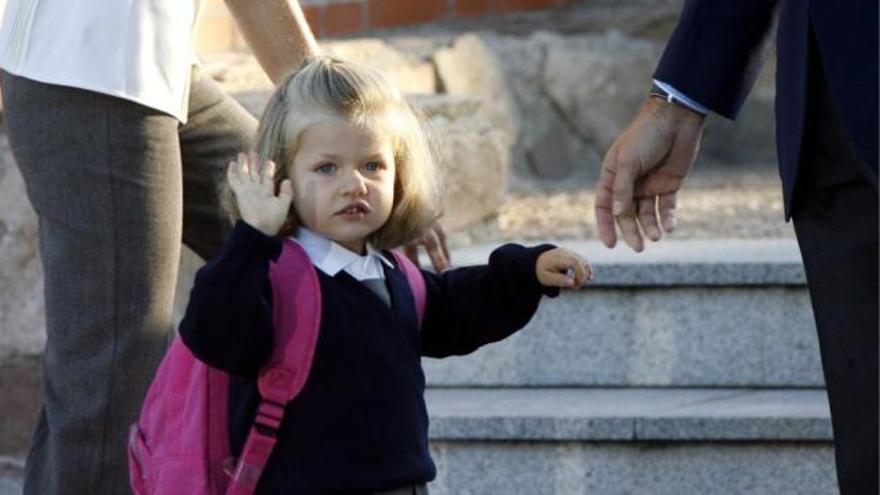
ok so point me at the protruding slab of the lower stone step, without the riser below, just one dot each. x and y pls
(630, 415)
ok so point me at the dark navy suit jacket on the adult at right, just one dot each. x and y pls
(717, 48)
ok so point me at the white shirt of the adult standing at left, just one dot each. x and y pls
(139, 50)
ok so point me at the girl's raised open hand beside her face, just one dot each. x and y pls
(254, 189)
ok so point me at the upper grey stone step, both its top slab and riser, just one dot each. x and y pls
(731, 313)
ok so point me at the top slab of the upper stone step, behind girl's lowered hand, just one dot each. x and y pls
(724, 262)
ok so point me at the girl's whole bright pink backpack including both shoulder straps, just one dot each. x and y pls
(180, 443)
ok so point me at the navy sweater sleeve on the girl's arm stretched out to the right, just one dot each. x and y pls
(472, 306)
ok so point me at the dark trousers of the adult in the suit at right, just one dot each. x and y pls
(836, 221)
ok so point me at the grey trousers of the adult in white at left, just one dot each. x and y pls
(117, 187)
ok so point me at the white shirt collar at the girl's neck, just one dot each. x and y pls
(331, 258)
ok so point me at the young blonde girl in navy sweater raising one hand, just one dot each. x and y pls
(348, 174)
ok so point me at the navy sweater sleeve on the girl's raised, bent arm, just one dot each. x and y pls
(228, 321)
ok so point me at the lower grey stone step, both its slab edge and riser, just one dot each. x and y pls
(631, 441)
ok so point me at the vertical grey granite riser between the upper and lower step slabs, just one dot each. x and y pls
(667, 336)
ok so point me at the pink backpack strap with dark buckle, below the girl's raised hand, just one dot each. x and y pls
(296, 318)
